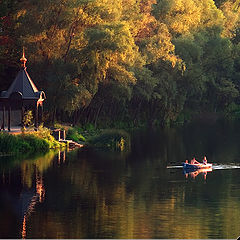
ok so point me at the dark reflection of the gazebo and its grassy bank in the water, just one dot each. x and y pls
(22, 188)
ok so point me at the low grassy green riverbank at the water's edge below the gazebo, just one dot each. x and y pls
(41, 141)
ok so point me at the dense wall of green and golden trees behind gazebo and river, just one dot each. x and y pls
(139, 62)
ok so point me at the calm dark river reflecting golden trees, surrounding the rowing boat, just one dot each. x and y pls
(142, 193)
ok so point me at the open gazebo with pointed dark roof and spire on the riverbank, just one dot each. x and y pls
(21, 96)
